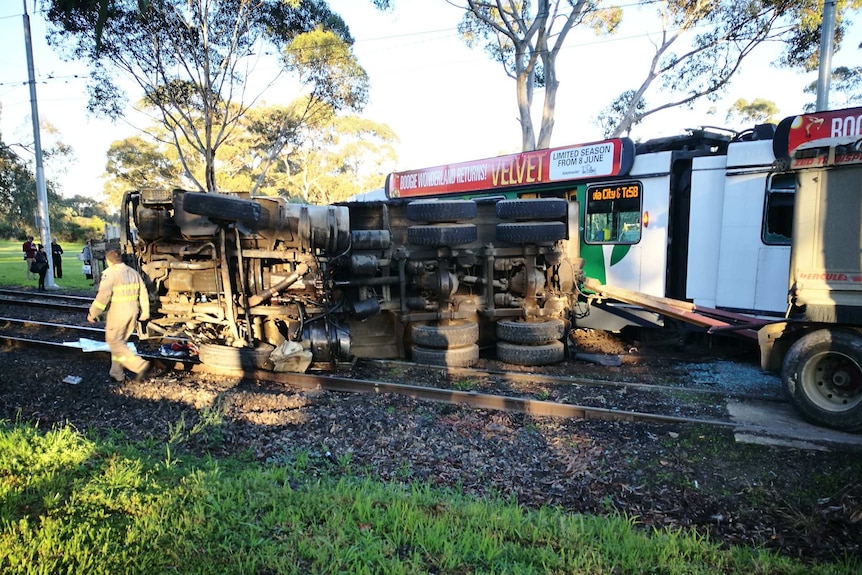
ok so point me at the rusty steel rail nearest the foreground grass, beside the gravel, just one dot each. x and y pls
(538, 408)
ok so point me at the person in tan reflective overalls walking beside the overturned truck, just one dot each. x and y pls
(125, 291)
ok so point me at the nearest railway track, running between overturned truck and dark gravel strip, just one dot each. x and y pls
(532, 393)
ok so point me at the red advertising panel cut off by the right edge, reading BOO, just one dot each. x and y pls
(794, 131)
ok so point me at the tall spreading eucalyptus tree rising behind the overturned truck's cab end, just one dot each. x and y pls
(202, 64)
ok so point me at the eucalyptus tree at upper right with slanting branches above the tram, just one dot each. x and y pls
(701, 45)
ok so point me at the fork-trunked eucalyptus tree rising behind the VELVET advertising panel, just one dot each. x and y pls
(527, 40)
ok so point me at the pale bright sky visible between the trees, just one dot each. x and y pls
(446, 102)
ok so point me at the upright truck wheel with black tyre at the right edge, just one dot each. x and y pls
(822, 375)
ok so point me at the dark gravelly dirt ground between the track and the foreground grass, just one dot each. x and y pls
(801, 503)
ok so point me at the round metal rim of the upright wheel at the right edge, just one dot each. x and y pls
(833, 381)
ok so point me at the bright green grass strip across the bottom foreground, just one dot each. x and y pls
(76, 504)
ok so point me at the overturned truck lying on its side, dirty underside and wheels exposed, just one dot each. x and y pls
(431, 280)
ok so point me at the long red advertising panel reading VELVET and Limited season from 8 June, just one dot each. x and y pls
(583, 161)
